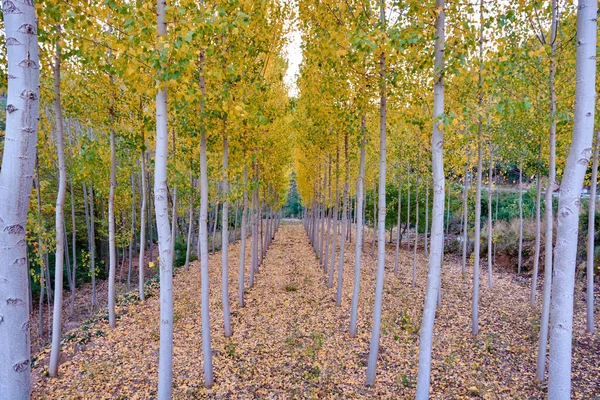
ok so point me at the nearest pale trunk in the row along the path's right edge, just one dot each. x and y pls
(437, 227)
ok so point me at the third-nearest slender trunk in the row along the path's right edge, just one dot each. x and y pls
(359, 223)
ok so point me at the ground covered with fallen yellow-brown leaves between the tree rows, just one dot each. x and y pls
(291, 341)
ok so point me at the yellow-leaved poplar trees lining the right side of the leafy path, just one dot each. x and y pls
(362, 54)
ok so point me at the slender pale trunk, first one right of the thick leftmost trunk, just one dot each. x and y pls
(59, 218)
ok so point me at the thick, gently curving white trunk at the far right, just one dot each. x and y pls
(561, 329)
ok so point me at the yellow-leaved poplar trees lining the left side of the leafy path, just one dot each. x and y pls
(210, 85)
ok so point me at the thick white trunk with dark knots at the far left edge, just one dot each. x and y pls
(16, 177)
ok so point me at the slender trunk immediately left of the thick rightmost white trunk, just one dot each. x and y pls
(551, 187)
